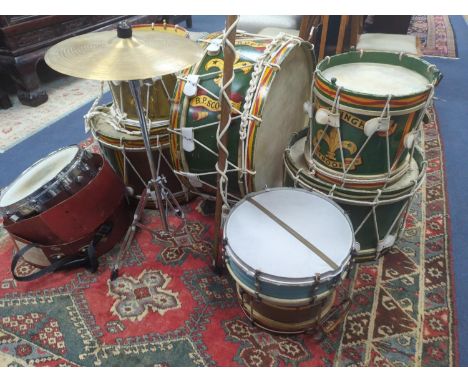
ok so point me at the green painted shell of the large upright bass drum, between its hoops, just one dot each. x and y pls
(204, 109)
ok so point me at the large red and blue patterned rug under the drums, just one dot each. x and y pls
(169, 309)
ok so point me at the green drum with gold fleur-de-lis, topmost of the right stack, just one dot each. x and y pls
(367, 107)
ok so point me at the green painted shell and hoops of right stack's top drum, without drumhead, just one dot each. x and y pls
(356, 108)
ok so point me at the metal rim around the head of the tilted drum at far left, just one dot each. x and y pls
(46, 186)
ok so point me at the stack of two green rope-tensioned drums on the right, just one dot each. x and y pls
(362, 145)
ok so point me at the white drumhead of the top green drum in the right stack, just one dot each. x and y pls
(377, 79)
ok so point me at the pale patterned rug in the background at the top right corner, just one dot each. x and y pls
(436, 35)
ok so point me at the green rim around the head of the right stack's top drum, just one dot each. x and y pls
(435, 81)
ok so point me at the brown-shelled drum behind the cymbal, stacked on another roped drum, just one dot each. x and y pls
(156, 93)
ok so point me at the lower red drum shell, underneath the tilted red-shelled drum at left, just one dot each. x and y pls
(120, 220)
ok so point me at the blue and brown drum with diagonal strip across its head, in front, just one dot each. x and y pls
(287, 250)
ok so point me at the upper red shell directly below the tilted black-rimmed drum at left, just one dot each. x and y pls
(77, 216)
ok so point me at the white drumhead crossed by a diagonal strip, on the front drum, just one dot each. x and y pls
(264, 245)
